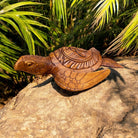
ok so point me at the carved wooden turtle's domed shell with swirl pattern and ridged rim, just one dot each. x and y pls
(77, 58)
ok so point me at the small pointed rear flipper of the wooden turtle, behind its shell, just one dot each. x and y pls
(110, 63)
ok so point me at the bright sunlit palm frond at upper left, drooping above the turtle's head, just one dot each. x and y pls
(22, 24)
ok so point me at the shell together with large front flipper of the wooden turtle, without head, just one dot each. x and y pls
(73, 68)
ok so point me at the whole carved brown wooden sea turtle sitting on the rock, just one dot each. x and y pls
(73, 69)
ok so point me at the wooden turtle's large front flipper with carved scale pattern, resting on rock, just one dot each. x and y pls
(78, 81)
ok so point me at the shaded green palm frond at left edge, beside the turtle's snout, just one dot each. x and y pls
(8, 54)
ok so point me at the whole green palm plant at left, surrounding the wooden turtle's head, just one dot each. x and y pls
(20, 33)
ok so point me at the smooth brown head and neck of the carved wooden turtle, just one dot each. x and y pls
(36, 65)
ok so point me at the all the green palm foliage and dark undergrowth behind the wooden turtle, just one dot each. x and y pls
(41, 26)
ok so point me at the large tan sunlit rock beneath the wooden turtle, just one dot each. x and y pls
(108, 110)
